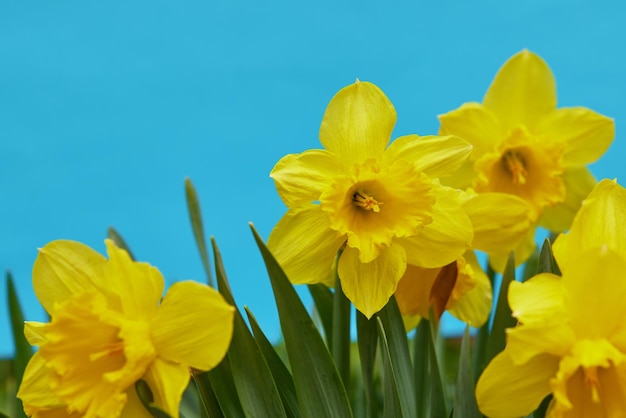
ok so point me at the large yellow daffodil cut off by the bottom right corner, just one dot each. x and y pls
(570, 342)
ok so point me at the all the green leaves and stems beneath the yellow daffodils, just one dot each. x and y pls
(318, 371)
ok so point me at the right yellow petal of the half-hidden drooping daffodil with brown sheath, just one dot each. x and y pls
(474, 306)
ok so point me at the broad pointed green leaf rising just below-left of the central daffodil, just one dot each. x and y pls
(319, 387)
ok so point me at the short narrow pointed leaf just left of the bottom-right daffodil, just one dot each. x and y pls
(465, 401)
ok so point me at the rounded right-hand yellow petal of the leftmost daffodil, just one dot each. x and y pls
(193, 326)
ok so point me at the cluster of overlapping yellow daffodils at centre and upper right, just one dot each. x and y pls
(403, 217)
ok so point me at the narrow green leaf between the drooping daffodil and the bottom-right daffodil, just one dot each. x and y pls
(502, 318)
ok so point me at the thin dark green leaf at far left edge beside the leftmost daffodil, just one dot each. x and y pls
(23, 350)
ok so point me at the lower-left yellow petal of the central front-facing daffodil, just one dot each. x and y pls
(304, 245)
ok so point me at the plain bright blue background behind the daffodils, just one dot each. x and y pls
(105, 108)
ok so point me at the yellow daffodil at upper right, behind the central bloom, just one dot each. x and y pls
(526, 146)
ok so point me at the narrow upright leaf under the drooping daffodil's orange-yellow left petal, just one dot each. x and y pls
(420, 371)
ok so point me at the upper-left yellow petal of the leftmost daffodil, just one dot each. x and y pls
(64, 268)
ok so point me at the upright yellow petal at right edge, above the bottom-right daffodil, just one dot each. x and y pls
(601, 221)
